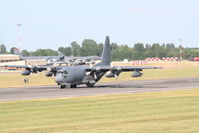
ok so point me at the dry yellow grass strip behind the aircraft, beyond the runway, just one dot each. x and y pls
(170, 70)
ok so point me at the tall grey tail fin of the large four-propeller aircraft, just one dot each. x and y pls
(106, 53)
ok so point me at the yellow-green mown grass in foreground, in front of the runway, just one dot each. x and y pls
(156, 112)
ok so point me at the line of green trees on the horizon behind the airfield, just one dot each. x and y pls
(90, 47)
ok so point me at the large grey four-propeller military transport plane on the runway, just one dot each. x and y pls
(71, 76)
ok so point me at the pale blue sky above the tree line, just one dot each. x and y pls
(55, 23)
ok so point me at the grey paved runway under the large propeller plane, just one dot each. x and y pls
(26, 93)
